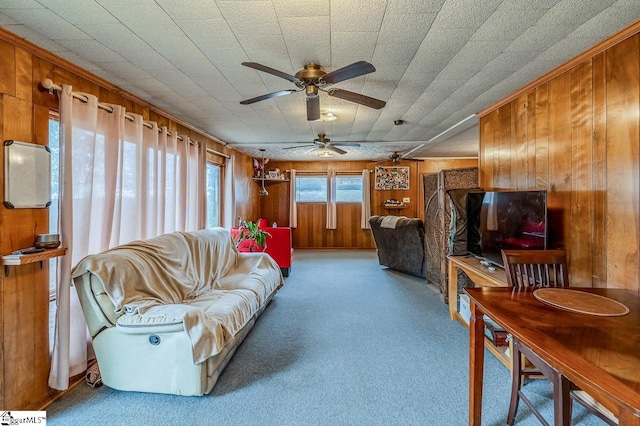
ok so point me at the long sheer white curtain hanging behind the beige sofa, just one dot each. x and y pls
(119, 181)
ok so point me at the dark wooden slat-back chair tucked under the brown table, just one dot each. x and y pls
(542, 268)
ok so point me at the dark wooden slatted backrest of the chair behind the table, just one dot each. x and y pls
(536, 268)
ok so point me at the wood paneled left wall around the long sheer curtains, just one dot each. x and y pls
(24, 294)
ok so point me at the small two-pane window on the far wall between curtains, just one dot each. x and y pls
(313, 189)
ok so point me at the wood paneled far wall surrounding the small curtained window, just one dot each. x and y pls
(311, 232)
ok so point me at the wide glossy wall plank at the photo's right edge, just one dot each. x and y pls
(622, 70)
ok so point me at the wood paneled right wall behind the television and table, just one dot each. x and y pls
(577, 135)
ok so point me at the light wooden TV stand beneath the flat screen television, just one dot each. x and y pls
(481, 277)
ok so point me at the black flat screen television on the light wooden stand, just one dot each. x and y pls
(506, 220)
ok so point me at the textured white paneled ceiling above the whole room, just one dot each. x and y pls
(438, 61)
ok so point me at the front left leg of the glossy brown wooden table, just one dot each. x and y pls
(476, 364)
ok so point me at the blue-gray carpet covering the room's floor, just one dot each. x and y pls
(345, 342)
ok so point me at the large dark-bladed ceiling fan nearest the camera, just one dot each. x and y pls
(312, 79)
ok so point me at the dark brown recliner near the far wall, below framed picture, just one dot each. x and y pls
(400, 248)
